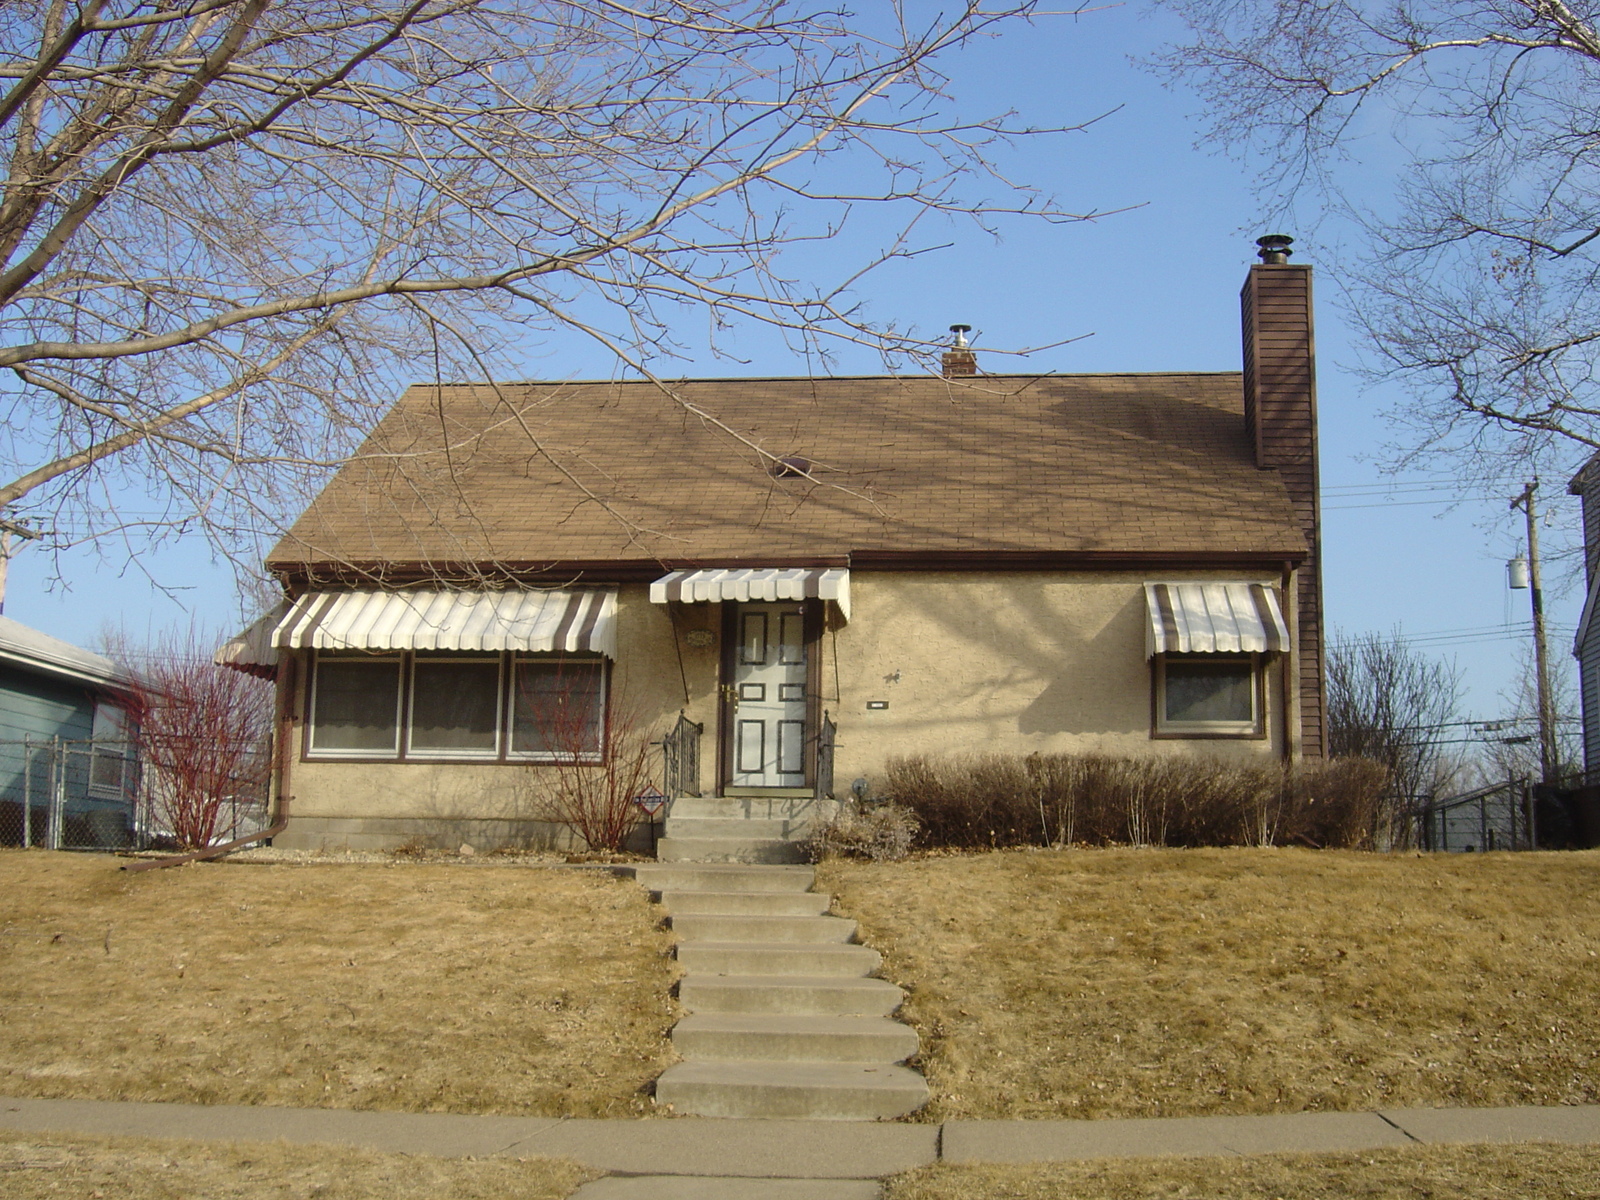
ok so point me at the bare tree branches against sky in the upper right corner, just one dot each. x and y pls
(1478, 286)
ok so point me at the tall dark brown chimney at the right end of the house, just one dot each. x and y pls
(1281, 418)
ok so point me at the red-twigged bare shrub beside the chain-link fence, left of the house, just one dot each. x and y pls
(204, 735)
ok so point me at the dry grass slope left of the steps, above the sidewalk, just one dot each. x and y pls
(404, 988)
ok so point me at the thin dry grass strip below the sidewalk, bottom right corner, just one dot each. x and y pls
(1412, 1174)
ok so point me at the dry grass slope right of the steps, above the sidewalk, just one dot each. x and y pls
(1161, 983)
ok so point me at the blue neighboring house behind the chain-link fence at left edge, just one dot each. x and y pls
(68, 772)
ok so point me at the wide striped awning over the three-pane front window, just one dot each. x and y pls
(567, 622)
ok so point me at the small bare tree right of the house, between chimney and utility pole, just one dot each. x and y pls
(1394, 706)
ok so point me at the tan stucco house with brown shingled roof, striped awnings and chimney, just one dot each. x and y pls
(796, 580)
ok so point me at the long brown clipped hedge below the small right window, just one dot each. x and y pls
(1094, 799)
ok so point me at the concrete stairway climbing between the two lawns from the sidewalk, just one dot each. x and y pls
(785, 1018)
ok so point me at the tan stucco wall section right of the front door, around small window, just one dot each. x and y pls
(1010, 665)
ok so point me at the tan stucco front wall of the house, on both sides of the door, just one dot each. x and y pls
(1007, 663)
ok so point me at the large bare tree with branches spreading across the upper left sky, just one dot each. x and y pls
(231, 228)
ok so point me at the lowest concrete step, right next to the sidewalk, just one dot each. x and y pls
(814, 1090)
